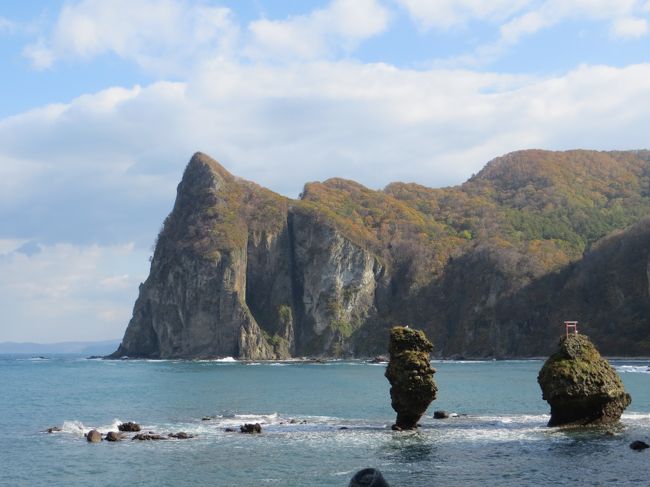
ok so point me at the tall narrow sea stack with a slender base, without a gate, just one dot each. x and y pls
(410, 375)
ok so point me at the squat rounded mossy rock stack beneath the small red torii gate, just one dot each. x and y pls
(581, 386)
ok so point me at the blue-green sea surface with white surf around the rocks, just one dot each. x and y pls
(341, 423)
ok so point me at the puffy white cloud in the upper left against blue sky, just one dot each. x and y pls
(163, 36)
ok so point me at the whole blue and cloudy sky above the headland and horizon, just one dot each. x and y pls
(103, 102)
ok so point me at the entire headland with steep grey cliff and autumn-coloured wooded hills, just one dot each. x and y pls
(489, 268)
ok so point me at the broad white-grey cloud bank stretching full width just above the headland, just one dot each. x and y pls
(121, 152)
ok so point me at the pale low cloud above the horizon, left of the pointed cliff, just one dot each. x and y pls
(66, 292)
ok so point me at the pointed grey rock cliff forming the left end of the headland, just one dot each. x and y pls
(237, 272)
